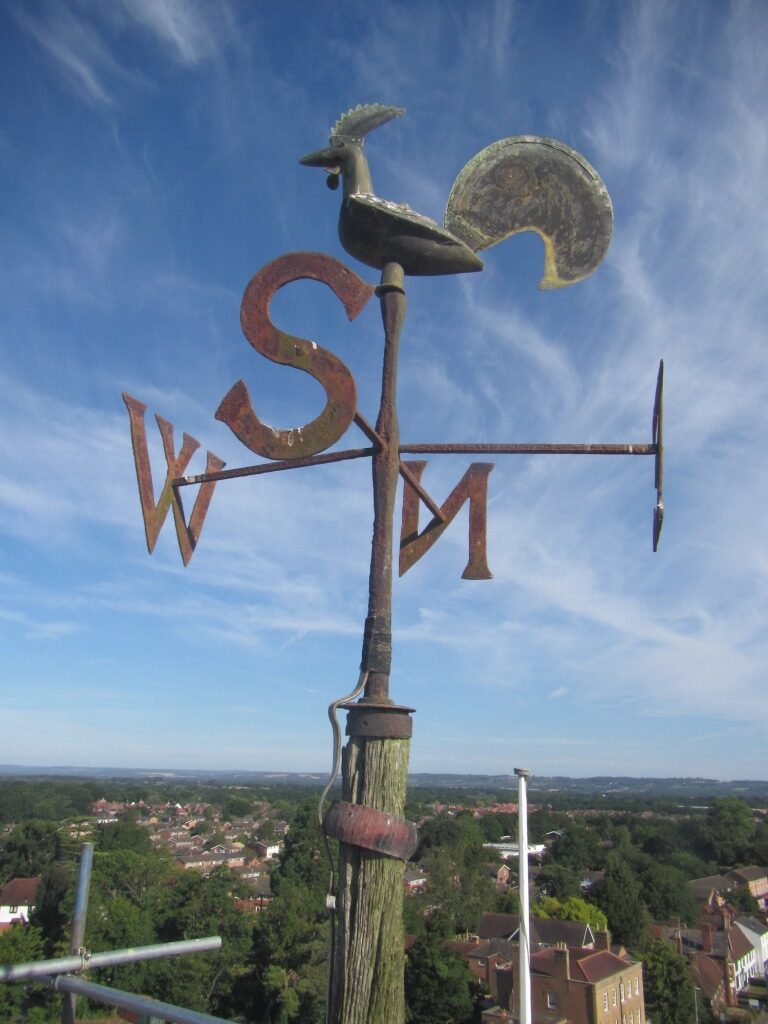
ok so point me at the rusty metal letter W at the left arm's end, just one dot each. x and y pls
(155, 515)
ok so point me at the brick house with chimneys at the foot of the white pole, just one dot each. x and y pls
(575, 986)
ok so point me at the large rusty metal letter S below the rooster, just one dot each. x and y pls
(236, 409)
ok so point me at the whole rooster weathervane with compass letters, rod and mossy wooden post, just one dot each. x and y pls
(518, 185)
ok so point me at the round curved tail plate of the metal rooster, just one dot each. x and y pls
(529, 184)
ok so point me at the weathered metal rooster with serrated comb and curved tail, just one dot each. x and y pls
(519, 185)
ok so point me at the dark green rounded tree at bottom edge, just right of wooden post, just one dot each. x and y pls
(439, 986)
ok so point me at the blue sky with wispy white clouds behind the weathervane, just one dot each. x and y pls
(149, 168)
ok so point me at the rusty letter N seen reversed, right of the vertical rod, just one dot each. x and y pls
(474, 486)
